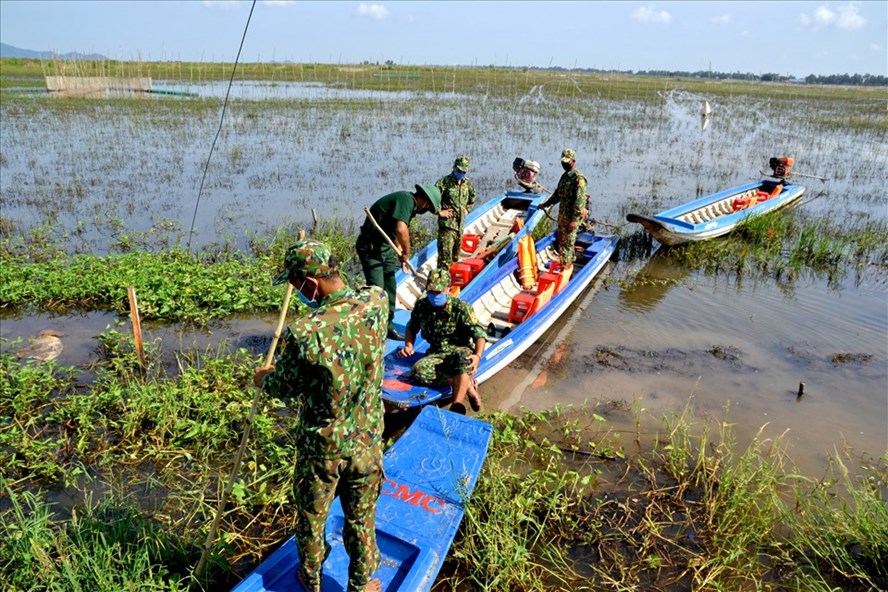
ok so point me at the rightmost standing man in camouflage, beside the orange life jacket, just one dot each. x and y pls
(572, 208)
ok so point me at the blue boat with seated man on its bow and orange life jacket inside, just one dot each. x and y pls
(494, 301)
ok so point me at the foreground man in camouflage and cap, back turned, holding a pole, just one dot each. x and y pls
(332, 369)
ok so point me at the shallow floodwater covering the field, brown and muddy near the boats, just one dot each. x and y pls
(722, 344)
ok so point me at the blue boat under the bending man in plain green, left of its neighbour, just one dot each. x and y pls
(489, 224)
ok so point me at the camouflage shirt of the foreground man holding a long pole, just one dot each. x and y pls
(332, 368)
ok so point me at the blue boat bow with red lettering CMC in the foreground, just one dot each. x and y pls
(430, 473)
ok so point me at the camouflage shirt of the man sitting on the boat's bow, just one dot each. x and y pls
(453, 324)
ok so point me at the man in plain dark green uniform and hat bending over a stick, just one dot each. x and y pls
(393, 213)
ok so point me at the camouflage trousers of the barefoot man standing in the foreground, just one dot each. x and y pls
(357, 481)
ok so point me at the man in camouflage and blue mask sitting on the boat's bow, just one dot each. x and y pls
(456, 341)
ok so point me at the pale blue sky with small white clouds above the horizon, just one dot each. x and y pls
(797, 38)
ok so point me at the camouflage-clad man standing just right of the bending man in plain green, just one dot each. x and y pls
(457, 200)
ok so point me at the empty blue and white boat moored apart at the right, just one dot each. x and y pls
(717, 214)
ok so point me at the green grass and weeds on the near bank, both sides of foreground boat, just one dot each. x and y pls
(561, 503)
